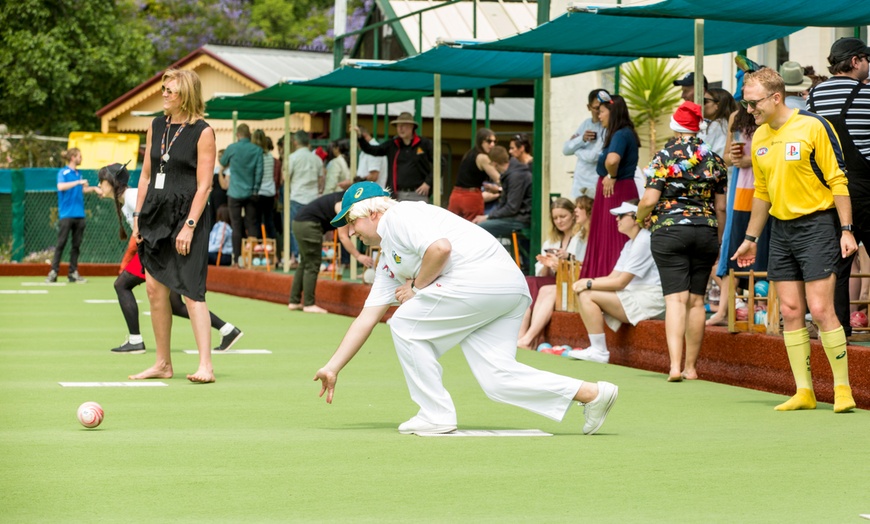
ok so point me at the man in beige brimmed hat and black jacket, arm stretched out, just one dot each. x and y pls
(409, 157)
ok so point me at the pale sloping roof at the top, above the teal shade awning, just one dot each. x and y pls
(454, 22)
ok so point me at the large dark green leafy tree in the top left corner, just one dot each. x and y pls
(62, 60)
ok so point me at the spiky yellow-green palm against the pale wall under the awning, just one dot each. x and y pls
(648, 87)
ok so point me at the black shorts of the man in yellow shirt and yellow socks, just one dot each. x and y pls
(804, 249)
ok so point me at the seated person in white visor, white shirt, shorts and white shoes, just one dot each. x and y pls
(631, 293)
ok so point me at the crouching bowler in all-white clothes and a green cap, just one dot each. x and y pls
(455, 285)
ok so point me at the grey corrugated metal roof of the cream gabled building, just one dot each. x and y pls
(270, 66)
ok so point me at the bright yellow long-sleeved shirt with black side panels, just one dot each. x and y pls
(798, 167)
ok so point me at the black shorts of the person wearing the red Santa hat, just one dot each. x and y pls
(685, 255)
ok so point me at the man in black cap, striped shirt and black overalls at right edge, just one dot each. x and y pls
(843, 93)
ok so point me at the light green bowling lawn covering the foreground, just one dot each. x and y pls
(260, 446)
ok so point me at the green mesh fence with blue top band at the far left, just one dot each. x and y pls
(28, 218)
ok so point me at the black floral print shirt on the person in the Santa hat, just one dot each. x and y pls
(689, 175)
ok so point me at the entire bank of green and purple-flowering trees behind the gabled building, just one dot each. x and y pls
(62, 60)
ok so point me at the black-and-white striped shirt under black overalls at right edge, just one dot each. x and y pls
(828, 98)
